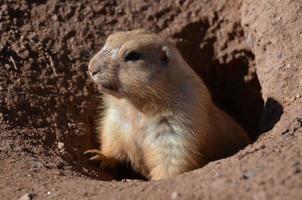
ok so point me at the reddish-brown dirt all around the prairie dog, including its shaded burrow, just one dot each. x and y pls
(48, 105)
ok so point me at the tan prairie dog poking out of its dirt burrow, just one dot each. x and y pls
(158, 114)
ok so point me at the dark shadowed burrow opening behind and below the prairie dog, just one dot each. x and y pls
(227, 66)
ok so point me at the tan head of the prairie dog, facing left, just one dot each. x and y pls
(138, 65)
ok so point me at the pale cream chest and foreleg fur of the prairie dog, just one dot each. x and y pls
(143, 139)
